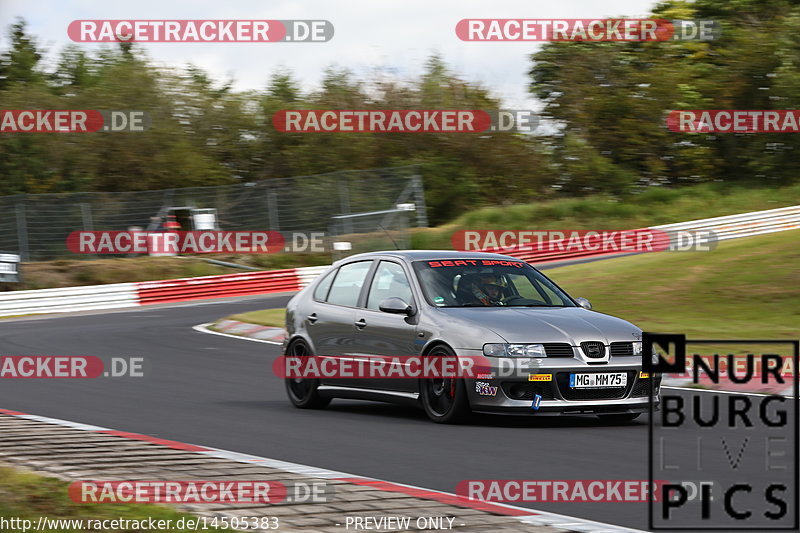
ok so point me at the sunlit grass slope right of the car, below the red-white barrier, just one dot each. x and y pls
(745, 288)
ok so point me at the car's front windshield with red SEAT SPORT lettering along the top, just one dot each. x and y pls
(487, 283)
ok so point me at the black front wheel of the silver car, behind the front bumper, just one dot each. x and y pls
(444, 399)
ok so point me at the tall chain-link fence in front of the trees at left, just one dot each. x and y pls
(37, 225)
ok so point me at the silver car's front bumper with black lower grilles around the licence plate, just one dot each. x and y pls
(496, 391)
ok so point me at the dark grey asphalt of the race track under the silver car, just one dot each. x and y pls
(220, 392)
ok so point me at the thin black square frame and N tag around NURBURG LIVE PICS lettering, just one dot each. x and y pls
(677, 366)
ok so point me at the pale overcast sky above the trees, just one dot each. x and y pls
(395, 37)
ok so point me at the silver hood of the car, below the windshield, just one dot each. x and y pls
(564, 324)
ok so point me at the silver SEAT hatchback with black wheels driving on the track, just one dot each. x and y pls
(545, 352)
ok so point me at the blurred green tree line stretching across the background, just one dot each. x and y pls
(604, 104)
